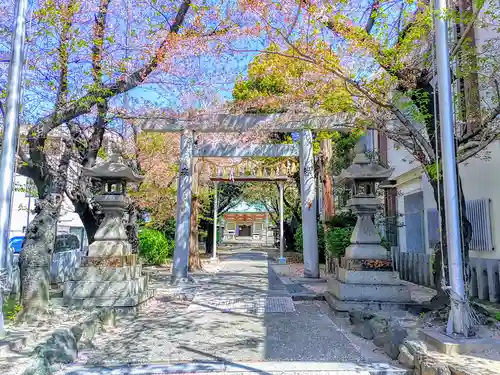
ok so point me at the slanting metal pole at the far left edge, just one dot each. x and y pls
(9, 144)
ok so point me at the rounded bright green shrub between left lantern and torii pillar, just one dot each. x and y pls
(154, 247)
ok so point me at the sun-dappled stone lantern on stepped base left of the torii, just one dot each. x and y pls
(110, 275)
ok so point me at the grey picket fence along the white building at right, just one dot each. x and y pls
(418, 268)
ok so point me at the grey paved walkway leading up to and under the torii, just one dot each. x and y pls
(240, 315)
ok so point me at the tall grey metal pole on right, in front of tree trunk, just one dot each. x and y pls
(457, 322)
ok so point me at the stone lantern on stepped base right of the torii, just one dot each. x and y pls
(364, 278)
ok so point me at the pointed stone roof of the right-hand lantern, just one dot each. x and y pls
(362, 168)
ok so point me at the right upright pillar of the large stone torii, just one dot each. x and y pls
(309, 206)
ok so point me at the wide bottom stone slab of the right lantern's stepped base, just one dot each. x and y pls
(369, 292)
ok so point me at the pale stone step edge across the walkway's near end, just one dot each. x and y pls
(267, 368)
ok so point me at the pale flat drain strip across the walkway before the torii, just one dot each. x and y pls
(255, 306)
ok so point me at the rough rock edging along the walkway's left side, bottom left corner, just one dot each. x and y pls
(62, 346)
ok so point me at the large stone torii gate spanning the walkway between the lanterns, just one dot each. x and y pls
(243, 123)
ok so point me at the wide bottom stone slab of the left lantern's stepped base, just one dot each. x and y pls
(104, 289)
